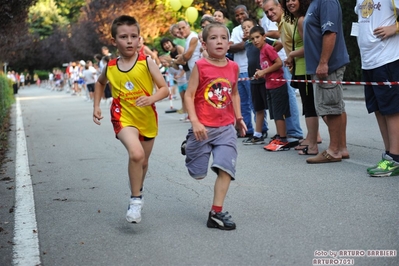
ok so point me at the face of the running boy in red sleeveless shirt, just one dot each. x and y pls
(217, 42)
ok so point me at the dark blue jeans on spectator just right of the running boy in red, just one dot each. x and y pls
(244, 90)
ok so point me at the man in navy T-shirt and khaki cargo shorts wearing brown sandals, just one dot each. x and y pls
(326, 57)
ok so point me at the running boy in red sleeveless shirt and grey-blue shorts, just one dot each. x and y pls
(213, 104)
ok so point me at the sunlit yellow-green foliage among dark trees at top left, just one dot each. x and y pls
(44, 17)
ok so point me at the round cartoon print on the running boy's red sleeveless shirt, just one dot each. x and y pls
(218, 93)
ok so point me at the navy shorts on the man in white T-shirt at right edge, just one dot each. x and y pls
(382, 98)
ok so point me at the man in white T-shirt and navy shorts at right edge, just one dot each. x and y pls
(378, 41)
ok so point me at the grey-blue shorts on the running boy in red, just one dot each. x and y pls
(221, 143)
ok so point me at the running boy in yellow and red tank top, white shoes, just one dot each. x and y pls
(133, 112)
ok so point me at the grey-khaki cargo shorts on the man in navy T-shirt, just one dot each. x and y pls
(329, 98)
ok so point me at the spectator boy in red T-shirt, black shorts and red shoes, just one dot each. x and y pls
(277, 93)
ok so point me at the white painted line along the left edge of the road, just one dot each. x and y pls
(26, 241)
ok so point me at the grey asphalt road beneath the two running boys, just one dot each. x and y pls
(287, 212)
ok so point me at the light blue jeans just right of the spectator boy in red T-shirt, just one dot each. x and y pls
(292, 123)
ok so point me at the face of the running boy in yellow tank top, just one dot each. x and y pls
(127, 40)
